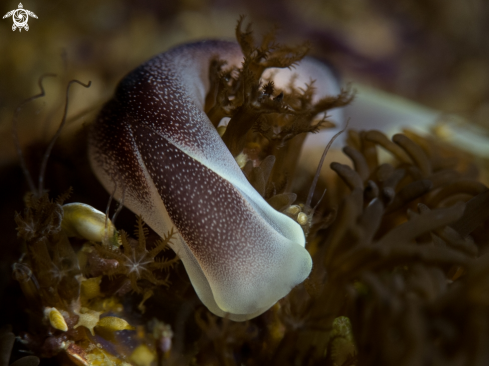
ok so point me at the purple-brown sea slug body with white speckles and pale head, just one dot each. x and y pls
(155, 147)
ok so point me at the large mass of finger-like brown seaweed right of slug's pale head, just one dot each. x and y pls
(400, 273)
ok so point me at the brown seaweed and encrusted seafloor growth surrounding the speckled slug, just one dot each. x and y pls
(399, 244)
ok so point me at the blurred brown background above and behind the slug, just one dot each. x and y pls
(433, 52)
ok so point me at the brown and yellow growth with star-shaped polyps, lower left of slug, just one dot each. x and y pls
(74, 296)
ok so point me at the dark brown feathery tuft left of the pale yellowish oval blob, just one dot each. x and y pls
(49, 268)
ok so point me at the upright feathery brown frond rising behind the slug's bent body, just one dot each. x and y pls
(267, 126)
